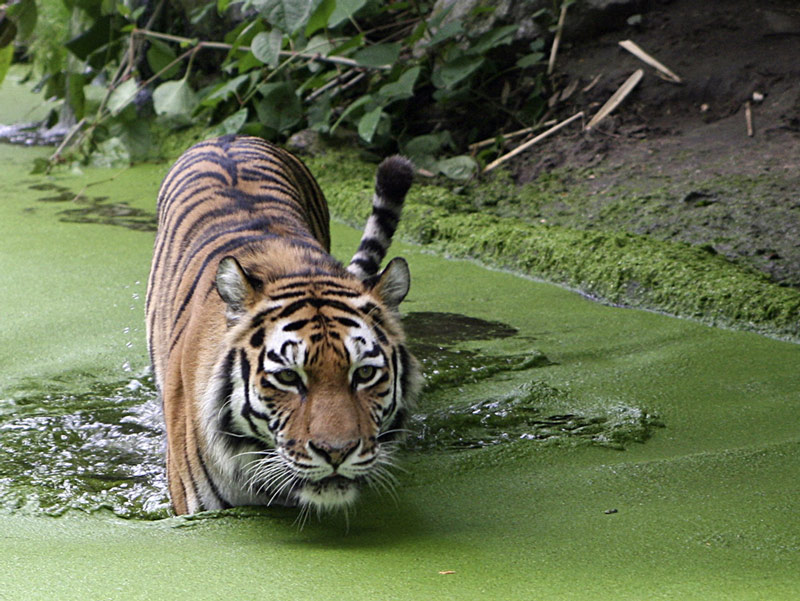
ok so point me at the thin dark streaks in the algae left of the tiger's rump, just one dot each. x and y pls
(96, 209)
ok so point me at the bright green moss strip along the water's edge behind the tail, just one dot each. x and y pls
(615, 267)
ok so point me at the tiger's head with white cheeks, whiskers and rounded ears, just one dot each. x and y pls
(314, 386)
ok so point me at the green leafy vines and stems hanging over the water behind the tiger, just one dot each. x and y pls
(399, 75)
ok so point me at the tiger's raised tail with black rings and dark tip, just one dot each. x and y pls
(391, 185)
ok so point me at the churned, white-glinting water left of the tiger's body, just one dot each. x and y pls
(101, 450)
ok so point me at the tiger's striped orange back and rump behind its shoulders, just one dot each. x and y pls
(223, 197)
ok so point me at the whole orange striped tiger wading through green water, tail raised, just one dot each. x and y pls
(284, 377)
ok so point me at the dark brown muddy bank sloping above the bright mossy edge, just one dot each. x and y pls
(675, 162)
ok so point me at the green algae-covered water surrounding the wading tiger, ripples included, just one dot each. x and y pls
(562, 449)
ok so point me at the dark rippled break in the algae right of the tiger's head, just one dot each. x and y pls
(530, 411)
